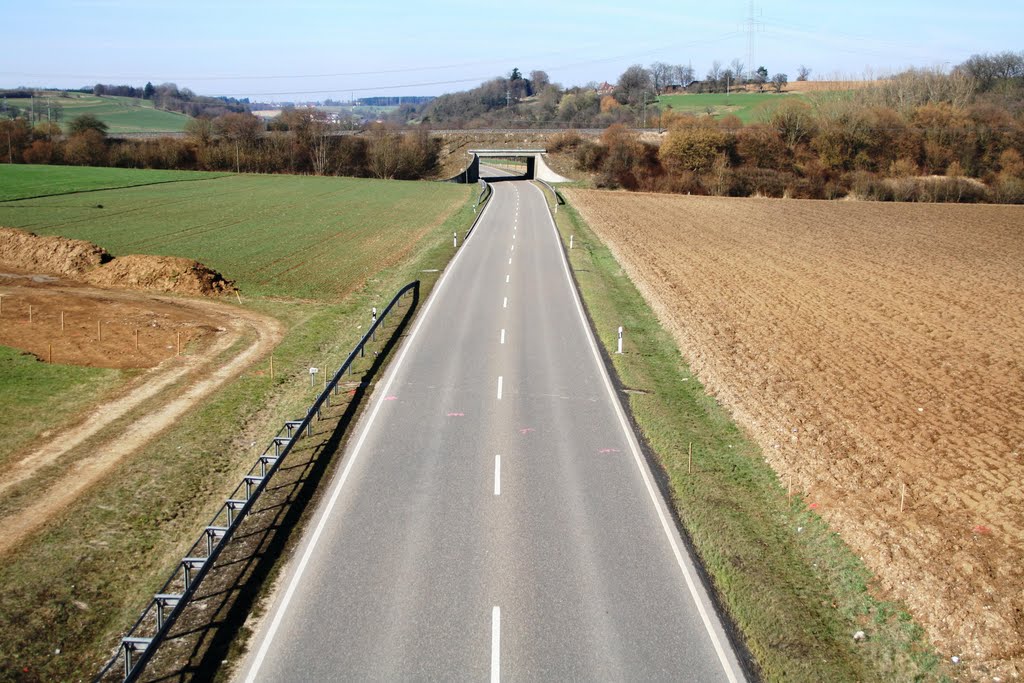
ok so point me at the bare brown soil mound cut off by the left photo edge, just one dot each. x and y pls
(54, 254)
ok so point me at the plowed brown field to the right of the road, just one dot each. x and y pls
(867, 348)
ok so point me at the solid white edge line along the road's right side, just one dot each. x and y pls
(667, 527)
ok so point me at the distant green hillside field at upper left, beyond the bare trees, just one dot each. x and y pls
(122, 115)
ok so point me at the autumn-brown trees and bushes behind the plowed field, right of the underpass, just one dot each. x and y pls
(924, 136)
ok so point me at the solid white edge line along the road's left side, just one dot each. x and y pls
(326, 515)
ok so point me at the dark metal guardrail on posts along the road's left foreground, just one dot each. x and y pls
(137, 649)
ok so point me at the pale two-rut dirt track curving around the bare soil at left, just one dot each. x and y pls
(162, 388)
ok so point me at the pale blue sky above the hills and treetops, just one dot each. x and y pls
(314, 50)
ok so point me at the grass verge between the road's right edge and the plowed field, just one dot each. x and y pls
(794, 589)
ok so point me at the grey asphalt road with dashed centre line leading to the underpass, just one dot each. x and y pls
(494, 518)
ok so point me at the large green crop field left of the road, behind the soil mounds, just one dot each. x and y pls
(276, 236)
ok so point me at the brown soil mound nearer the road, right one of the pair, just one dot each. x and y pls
(161, 274)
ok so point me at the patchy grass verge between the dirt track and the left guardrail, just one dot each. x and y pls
(77, 585)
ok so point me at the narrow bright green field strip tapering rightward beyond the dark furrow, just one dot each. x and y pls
(28, 182)
